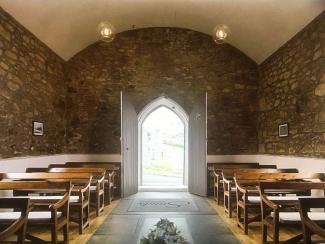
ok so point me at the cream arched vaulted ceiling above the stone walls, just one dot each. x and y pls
(258, 27)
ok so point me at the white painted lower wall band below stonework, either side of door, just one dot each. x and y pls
(305, 165)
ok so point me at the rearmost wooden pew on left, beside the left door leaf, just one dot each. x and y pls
(113, 176)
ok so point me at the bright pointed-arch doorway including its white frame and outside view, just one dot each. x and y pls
(163, 142)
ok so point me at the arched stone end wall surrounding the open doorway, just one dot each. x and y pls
(147, 63)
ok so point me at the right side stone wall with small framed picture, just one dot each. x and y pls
(292, 89)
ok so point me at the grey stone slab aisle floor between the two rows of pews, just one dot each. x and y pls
(148, 217)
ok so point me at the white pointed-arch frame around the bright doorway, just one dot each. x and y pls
(163, 101)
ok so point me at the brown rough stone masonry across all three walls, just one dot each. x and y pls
(78, 100)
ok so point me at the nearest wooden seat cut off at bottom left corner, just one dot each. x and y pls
(17, 226)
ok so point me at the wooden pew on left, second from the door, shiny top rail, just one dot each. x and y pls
(97, 191)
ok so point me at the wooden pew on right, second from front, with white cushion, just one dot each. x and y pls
(273, 207)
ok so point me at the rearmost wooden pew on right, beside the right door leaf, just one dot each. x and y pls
(217, 176)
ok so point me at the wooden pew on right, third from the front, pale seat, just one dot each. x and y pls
(247, 196)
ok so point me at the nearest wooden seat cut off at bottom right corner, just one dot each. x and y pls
(312, 222)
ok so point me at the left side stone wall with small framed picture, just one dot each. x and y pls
(31, 88)
